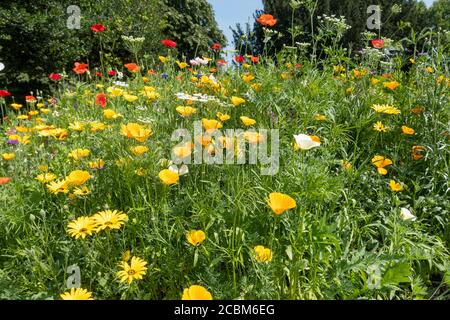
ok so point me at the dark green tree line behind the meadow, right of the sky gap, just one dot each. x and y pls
(397, 22)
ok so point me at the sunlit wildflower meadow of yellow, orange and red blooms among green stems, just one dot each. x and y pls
(311, 173)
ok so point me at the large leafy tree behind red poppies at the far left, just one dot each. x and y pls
(35, 37)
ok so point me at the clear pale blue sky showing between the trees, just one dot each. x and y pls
(230, 12)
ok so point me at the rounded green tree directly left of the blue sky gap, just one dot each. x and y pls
(191, 23)
